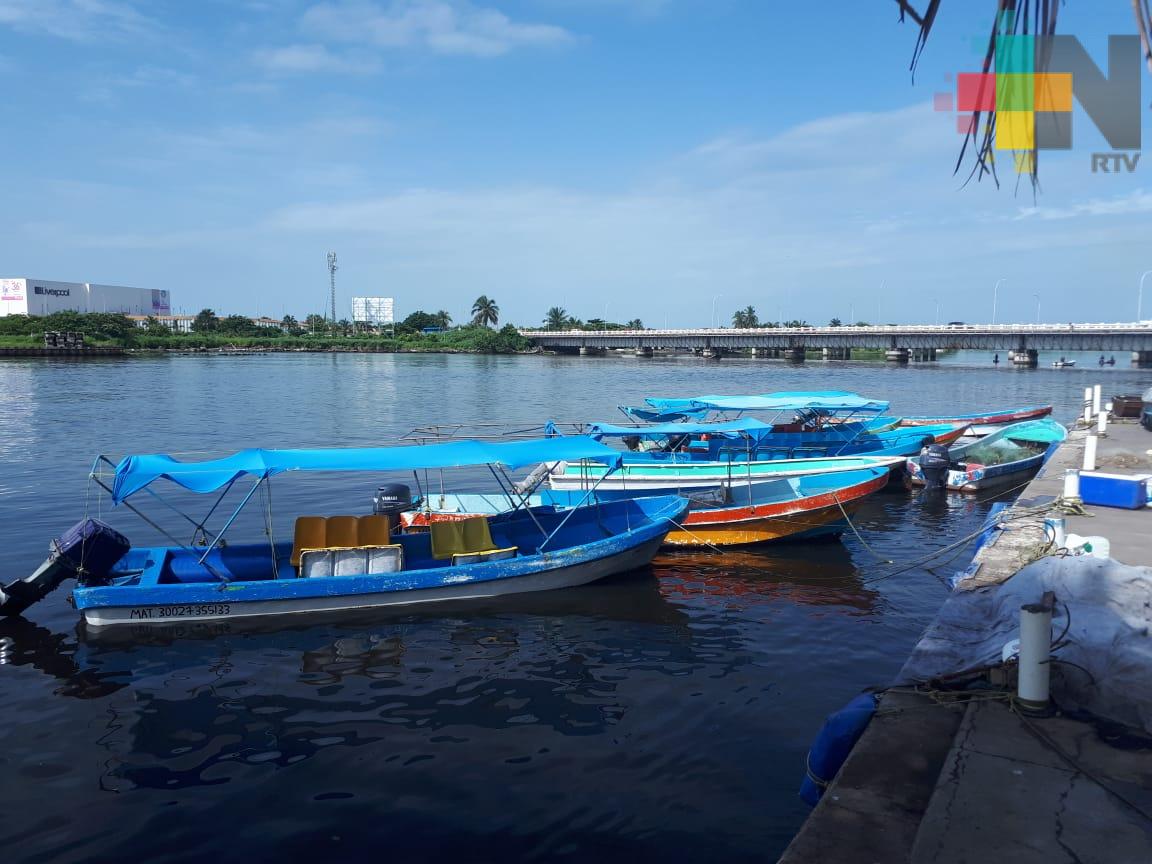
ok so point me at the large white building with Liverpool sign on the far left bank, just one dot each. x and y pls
(43, 297)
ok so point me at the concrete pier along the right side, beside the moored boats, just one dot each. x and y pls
(944, 777)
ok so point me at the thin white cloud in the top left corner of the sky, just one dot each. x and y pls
(75, 20)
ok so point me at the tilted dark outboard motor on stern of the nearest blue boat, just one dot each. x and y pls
(89, 551)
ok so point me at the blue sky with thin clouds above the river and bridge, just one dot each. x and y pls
(669, 161)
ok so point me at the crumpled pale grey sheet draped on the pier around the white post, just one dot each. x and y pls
(1111, 634)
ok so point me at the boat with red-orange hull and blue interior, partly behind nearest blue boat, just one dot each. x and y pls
(783, 510)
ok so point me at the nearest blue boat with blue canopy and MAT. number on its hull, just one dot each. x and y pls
(342, 563)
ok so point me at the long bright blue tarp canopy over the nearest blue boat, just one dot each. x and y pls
(135, 473)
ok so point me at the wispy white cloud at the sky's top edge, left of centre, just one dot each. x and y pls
(444, 27)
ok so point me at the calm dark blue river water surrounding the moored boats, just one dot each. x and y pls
(662, 716)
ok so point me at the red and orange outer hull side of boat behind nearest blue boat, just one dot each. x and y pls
(820, 516)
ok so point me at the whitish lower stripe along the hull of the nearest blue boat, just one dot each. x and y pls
(547, 581)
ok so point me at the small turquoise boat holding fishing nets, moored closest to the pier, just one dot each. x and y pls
(1004, 457)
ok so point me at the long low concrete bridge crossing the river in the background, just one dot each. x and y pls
(1021, 343)
